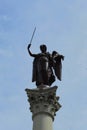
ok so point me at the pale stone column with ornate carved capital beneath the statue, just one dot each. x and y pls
(43, 105)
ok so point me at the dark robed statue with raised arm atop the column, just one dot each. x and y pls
(46, 66)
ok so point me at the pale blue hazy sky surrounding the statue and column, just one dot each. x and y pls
(62, 26)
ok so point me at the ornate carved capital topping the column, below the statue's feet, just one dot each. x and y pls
(43, 101)
